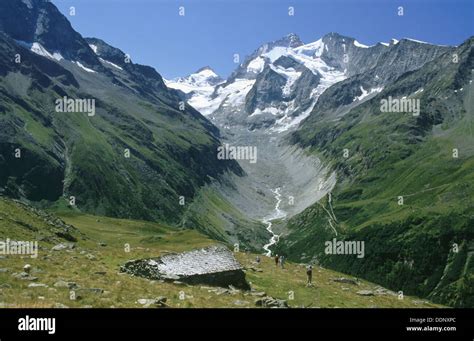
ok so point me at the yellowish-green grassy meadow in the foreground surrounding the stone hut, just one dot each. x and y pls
(102, 247)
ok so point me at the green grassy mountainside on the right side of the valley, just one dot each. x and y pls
(403, 180)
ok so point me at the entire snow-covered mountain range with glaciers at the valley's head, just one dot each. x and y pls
(277, 86)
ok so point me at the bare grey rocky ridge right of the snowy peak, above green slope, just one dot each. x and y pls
(369, 68)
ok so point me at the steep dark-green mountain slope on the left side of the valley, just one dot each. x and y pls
(136, 154)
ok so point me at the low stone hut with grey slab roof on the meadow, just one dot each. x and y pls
(214, 265)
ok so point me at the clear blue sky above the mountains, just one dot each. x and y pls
(212, 31)
